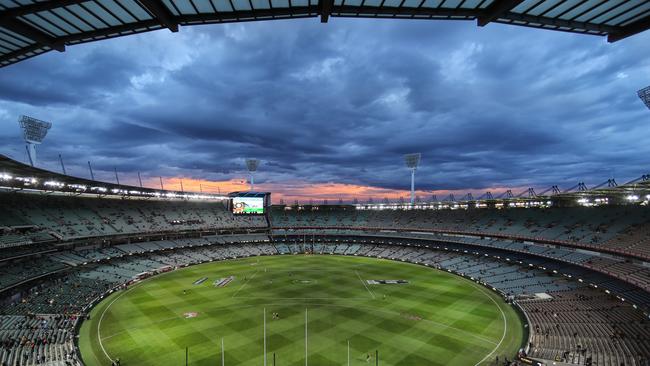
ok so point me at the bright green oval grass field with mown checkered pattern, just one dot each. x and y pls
(436, 319)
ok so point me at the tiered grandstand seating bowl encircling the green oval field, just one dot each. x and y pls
(579, 275)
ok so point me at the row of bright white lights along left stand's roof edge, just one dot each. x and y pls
(16, 182)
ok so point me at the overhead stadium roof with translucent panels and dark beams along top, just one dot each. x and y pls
(30, 27)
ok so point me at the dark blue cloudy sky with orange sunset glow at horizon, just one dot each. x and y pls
(331, 108)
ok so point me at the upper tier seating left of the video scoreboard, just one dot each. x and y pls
(47, 217)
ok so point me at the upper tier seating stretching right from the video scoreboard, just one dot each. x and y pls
(625, 229)
